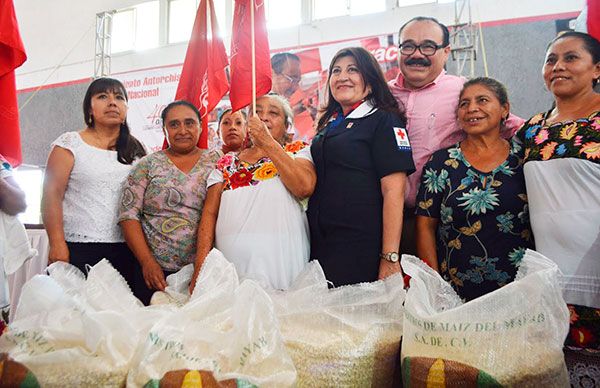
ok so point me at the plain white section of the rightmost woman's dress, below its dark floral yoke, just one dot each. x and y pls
(564, 203)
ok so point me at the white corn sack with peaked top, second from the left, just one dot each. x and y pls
(227, 328)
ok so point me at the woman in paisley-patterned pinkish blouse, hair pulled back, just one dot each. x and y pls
(163, 198)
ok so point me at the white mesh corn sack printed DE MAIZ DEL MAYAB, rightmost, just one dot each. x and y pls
(511, 337)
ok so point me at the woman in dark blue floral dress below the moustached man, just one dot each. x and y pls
(472, 212)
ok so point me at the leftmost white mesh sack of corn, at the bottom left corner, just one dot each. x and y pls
(70, 331)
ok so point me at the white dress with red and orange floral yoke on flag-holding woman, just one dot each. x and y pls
(261, 228)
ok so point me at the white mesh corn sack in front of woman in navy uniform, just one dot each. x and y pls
(342, 337)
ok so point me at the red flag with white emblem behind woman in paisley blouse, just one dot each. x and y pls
(203, 80)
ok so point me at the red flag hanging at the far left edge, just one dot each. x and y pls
(12, 55)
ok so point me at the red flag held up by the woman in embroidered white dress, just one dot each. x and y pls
(241, 53)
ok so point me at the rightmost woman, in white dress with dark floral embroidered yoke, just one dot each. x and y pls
(561, 150)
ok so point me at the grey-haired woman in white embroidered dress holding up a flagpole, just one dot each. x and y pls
(252, 211)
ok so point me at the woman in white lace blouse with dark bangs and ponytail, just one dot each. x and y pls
(83, 180)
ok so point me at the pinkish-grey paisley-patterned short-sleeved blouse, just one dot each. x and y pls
(168, 204)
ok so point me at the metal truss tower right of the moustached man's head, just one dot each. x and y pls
(464, 39)
